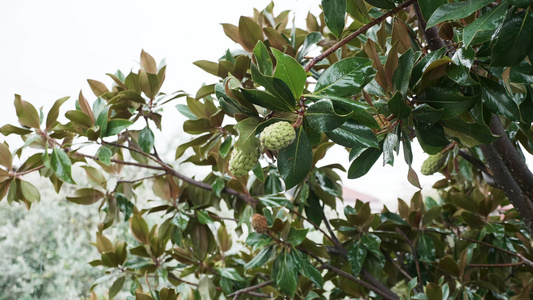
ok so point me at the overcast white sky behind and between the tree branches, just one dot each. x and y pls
(49, 49)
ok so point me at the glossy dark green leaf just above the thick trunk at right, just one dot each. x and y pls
(497, 100)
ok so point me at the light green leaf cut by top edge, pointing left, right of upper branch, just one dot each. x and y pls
(455, 11)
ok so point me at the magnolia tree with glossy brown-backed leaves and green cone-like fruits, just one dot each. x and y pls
(371, 76)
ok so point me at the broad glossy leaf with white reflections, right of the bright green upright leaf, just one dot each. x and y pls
(345, 77)
